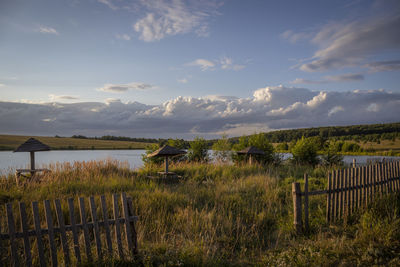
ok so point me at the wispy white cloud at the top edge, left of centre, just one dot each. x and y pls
(167, 18)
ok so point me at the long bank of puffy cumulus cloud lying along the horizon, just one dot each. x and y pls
(268, 108)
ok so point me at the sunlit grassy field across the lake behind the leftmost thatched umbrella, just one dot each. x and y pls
(10, 142)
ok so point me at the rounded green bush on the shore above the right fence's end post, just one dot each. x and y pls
(305, 151)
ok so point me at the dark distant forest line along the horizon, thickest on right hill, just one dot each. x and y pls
(372, 133)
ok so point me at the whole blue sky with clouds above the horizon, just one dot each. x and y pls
(180, 69)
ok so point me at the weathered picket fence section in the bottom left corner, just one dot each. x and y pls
(59, 236)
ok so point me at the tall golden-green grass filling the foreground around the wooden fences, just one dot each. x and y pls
(223, 215)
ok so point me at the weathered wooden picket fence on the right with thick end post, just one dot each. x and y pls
(348, 190)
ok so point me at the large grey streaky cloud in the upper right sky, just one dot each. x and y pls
(352, 44)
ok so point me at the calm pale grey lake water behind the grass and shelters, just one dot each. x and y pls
(10, 161)
